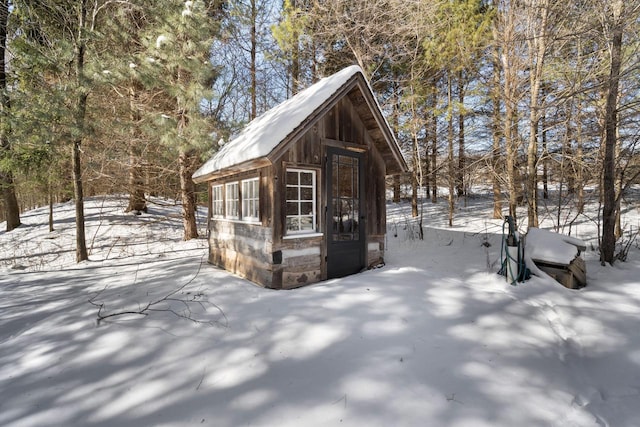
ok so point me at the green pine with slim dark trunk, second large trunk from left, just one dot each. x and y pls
(59, 65)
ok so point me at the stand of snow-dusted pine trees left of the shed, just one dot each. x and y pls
(96, 94)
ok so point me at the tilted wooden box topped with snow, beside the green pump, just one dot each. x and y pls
(556, 255)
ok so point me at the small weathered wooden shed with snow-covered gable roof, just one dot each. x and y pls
(299, 195)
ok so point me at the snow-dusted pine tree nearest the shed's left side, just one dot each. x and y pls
(177, 64)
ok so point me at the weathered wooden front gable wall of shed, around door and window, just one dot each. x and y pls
(341, 126)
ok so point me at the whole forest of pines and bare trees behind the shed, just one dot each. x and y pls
(522, 97)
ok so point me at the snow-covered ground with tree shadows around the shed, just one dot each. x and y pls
(434, 338)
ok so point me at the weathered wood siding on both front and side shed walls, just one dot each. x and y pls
(261, 252)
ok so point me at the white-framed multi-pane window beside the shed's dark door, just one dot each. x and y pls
(301, 201)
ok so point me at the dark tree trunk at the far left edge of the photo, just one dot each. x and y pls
(7, 185)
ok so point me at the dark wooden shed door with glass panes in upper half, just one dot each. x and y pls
(345, 219)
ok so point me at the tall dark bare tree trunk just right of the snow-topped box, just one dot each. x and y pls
(607, 247)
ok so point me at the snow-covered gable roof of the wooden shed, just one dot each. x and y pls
(263, 134)
